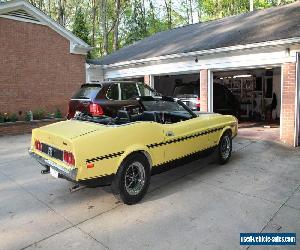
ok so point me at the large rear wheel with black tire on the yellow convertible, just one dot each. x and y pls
(132, 179)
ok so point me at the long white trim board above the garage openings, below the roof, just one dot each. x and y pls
(218, 62)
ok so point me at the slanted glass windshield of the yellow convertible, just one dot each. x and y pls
(166, 104)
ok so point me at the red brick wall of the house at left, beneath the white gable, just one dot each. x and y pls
(36, 68)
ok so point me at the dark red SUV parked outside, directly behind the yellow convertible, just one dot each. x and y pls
(106, 98)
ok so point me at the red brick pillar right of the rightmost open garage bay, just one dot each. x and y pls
(288, 103)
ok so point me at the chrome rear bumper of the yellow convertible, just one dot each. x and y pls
(47, 164)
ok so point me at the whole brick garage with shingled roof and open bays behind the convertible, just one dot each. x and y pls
(223, 69)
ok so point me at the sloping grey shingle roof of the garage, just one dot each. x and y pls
(252, 27)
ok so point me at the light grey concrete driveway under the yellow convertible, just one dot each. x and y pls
(200, 205)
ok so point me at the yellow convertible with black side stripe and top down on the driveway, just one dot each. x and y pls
(124, 151)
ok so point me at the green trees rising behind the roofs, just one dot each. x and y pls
(111, 24)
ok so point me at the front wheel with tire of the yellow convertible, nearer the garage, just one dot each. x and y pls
(224, 148)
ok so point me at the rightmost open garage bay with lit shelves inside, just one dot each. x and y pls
(254, 96)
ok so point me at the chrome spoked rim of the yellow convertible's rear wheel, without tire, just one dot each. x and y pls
(135, 178)
